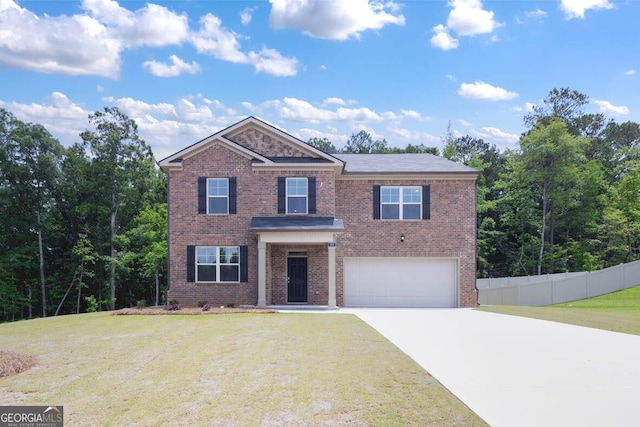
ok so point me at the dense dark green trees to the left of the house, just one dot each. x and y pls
(83, 228)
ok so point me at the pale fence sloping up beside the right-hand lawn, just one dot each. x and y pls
(557, 288)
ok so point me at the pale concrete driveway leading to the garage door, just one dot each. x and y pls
(515, 371)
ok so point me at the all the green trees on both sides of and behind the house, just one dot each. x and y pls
(84, 228)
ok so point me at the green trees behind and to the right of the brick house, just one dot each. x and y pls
(567, 199)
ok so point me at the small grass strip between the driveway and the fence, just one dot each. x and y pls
(618, 311)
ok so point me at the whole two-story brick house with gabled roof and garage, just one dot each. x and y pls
(259, 217)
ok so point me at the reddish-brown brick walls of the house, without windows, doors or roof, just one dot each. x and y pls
(449, 233)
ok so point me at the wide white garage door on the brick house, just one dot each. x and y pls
(400, 282)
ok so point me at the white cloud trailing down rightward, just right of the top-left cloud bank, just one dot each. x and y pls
(222, 43)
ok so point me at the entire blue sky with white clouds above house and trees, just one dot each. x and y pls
(399, 70)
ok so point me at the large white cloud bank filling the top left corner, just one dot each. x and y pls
(90, 43)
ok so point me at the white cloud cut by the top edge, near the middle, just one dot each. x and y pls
(334, 20)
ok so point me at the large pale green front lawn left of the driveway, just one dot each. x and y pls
(223, 370)
